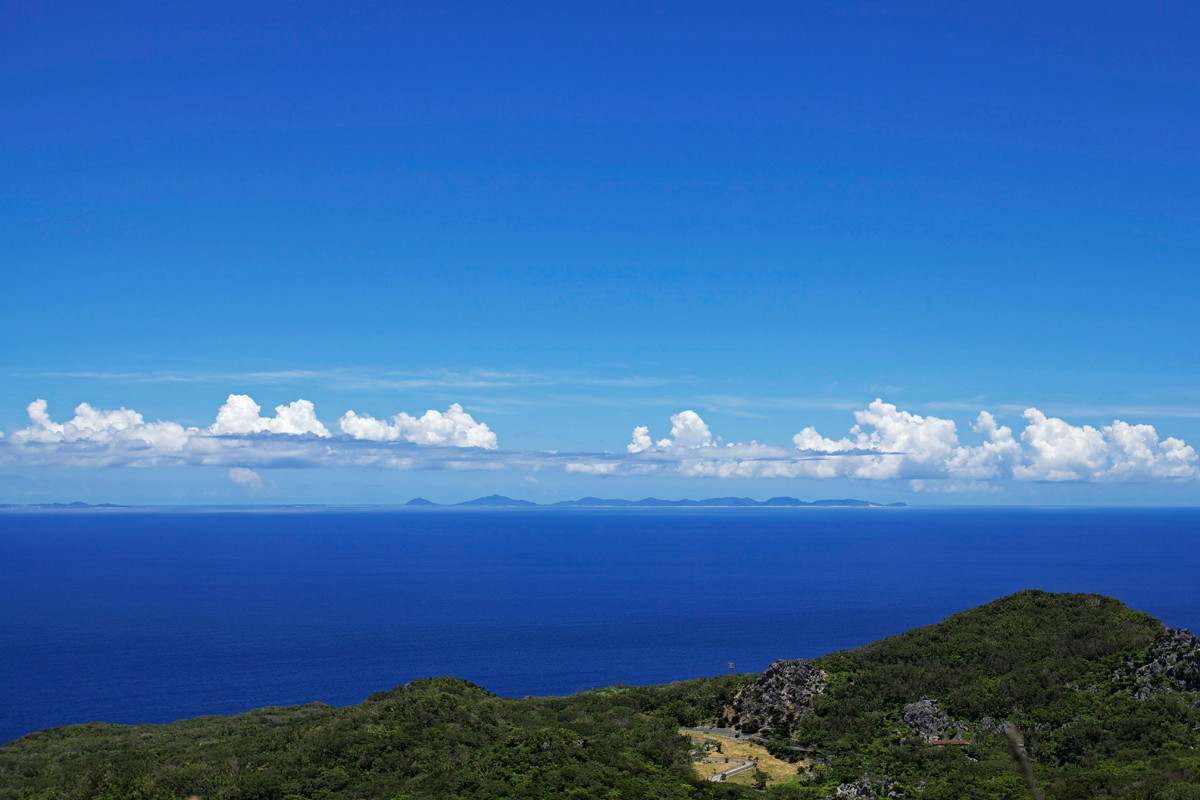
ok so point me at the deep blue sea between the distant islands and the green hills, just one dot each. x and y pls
(157, 616)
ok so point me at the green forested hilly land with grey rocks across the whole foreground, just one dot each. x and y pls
(1107, 699)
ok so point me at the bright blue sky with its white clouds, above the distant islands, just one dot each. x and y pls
(760, 225)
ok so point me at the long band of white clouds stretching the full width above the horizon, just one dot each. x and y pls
(885, 444)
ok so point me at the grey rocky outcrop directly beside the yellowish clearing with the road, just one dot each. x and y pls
(778, 697)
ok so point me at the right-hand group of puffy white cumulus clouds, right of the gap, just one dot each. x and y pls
(889, 443)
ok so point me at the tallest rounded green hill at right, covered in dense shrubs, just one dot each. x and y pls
(1060, 667)
